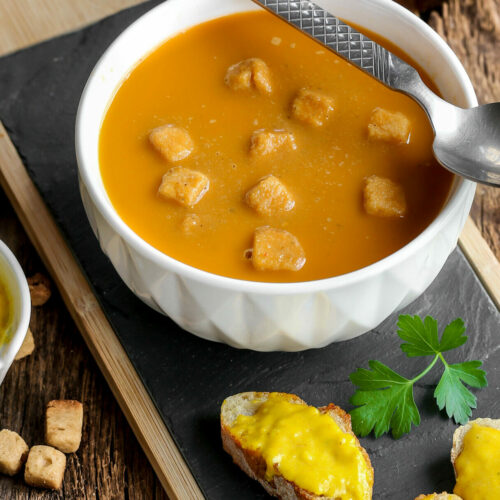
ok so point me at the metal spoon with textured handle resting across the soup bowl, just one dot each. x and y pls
(467, 141)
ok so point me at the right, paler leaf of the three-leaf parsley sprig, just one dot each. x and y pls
(452, 394)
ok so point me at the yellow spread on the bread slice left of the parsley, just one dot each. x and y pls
(307, 448)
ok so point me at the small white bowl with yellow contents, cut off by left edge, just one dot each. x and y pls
(13, 277)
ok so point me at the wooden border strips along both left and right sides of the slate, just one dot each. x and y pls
(128, 387)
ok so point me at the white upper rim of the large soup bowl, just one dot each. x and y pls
(462, 193)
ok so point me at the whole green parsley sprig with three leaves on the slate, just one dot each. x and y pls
(384, 399)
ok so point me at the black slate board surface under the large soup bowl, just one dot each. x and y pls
(187, 377)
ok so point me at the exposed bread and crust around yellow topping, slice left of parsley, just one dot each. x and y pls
(254, 465)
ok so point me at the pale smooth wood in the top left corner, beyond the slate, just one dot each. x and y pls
(25, 22)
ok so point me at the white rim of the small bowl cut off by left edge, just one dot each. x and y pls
(23, 310)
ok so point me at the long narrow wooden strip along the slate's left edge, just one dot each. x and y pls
(106, 349)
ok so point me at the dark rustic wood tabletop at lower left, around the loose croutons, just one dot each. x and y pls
(110, 462)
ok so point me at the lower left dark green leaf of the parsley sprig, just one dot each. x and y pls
(384, 400)
